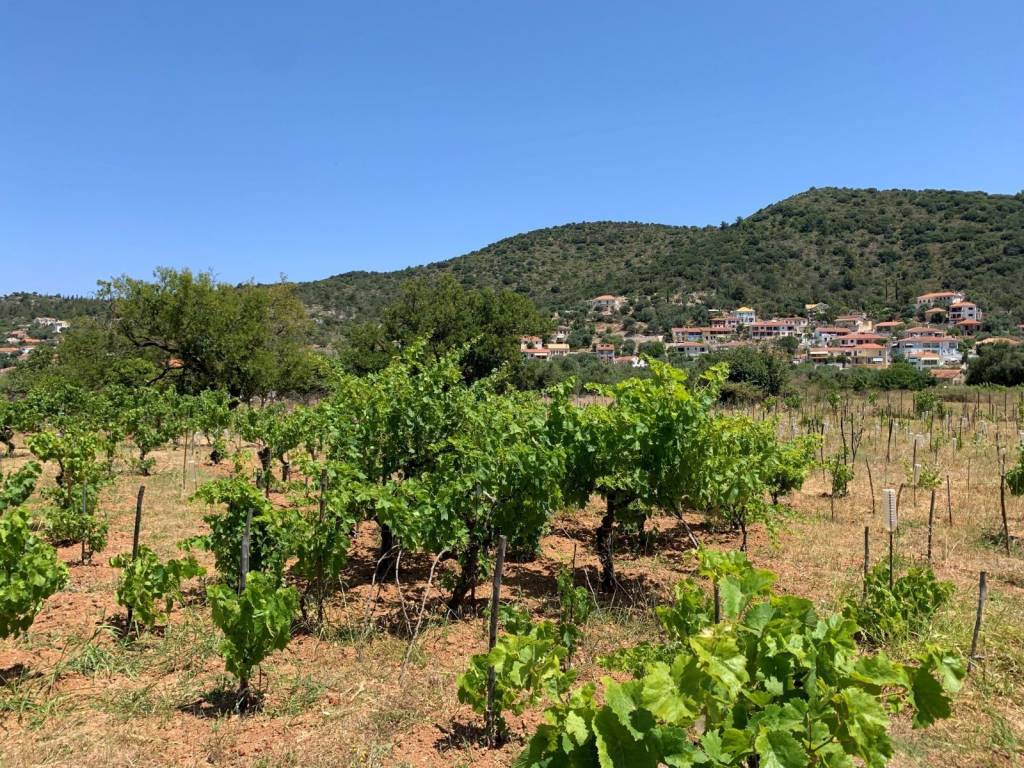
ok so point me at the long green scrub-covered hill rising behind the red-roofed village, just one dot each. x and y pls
(851, 248)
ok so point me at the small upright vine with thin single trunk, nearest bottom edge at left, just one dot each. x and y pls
(255, 623)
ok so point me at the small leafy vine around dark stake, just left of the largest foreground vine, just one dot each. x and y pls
(528, 663)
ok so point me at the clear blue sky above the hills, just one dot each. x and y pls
(310, 139)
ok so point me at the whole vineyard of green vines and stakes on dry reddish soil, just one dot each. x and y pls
(413, 571)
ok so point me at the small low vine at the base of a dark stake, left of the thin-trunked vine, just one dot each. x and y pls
(150, 587)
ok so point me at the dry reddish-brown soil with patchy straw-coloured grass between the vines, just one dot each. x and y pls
(361, 694)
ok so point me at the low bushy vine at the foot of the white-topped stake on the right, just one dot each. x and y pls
(905, 612)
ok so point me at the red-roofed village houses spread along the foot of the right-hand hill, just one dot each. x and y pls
(933, 343)
